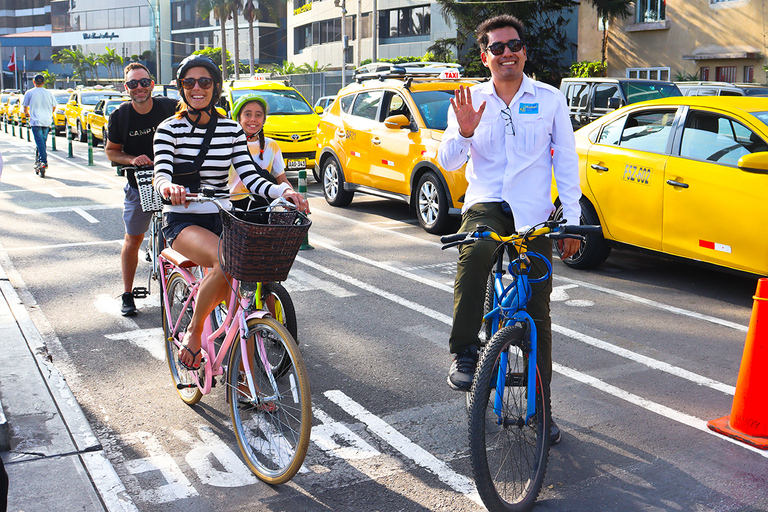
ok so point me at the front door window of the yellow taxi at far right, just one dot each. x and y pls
(716, 138)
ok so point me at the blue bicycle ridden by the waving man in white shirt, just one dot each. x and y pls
(508, 426)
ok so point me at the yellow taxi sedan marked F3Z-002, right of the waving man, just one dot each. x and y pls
(684, 176)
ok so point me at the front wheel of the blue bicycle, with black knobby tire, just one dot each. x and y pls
(510, 461)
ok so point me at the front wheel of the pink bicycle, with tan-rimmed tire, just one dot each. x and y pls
(273, 435)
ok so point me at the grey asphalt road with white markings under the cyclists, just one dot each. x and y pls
(647, 350)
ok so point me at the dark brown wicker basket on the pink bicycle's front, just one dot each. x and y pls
(258, 252)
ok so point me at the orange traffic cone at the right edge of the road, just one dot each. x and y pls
(748, 421)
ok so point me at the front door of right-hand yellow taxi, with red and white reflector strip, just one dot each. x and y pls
(710, 205)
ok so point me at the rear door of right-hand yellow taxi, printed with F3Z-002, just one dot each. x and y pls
(625, 173)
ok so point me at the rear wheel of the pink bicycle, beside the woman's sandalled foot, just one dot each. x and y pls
(178, 290)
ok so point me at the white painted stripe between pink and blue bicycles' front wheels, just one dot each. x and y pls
(408, 448)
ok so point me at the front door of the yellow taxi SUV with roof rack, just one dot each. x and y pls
(391, 148)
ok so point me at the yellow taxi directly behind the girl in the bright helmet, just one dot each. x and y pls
(291, 121)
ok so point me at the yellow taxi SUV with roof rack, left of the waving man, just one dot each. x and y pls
(381, 134)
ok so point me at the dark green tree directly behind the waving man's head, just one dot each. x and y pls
(545, 29)
